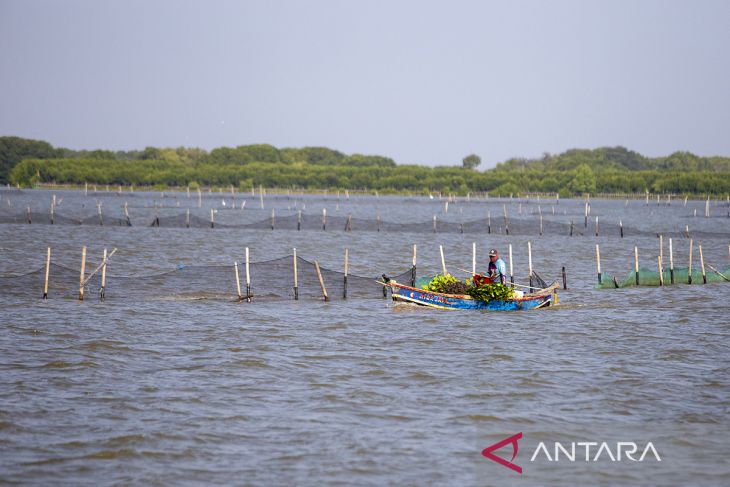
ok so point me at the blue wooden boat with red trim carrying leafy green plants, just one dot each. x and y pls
(538, 299)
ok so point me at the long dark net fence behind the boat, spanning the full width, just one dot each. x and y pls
(324, 222)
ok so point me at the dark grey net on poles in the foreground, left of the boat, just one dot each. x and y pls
(273, 279)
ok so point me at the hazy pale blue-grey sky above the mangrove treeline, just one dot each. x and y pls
(423, 82)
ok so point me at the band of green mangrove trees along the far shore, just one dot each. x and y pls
(576, 171)
